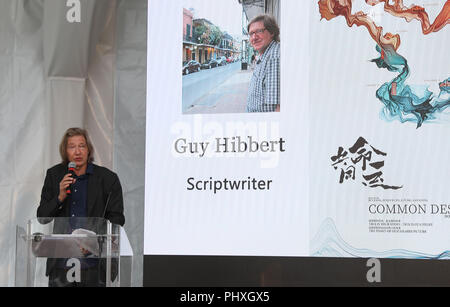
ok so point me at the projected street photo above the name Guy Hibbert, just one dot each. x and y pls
(231, 58)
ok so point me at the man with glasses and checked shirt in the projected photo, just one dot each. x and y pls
(264, 90)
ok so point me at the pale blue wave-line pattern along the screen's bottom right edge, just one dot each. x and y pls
(328, 243)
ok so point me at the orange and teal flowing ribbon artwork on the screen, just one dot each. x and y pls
(406, 103)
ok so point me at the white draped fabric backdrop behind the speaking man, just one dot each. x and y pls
(55, 75)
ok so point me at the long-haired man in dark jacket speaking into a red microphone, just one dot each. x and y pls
(87, 191)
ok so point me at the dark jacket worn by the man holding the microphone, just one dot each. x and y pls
(102, 184)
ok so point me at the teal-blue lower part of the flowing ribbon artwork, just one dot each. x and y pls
(404, 102)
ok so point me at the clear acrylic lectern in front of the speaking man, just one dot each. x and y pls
(72, 251)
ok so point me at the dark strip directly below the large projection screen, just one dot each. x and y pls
(207, 271)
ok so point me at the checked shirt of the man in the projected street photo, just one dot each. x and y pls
(264, 90)
